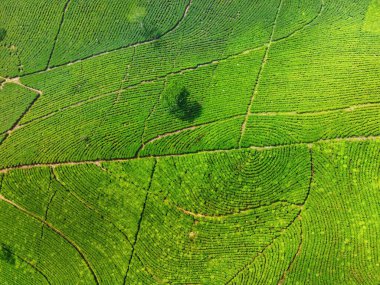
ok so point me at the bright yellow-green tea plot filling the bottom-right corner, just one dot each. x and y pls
(340, 243)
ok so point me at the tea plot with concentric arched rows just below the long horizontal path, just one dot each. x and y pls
(227, 182)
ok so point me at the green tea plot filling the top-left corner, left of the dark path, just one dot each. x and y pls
(27, 34)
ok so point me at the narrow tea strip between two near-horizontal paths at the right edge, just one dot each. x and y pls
(282, 129)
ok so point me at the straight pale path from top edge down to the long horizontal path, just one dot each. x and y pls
(258, 79)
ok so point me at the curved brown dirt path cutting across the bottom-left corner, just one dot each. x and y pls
(54, 229)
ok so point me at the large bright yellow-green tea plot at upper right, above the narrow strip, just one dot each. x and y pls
(331, 64)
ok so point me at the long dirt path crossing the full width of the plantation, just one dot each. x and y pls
(253, 147)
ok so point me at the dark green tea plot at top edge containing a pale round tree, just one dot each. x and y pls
(112, 24)
